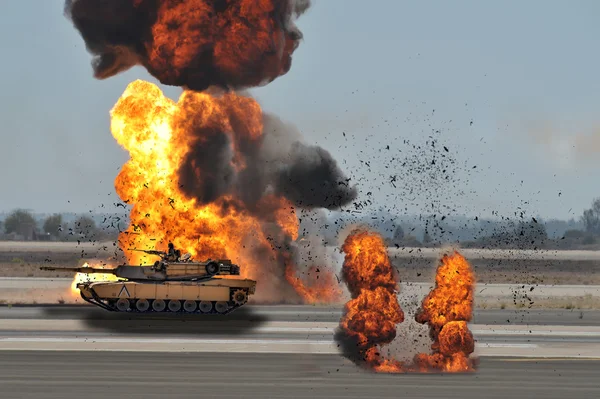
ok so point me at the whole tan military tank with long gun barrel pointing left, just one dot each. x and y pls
(173, 284)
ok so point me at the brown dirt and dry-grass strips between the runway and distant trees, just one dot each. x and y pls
(22, 260)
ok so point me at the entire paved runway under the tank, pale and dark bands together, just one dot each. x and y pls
(278, 351)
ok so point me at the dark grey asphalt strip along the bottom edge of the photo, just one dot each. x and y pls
(70, 375)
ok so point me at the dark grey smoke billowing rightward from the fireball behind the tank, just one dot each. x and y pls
(278, 163)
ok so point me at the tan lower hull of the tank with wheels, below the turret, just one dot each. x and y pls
(214, 296)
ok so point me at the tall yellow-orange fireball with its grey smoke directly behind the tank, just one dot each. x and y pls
(203, 174)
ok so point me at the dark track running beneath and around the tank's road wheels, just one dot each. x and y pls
(111, 305)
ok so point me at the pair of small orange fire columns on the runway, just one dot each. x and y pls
(371, 316)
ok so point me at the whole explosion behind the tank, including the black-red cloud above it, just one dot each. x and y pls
(211, 172)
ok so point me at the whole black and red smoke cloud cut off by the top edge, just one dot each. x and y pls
(193, 43)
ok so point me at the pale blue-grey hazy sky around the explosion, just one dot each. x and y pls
(510, 88)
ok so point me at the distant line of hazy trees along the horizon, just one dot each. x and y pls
(519, 233)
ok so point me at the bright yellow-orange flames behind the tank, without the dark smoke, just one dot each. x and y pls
(156, 132)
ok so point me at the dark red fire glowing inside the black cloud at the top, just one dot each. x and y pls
(245, 43)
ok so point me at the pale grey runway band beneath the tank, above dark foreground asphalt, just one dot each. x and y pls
(282, 329)
